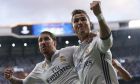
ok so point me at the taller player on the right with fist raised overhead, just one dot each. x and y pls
(93, 58)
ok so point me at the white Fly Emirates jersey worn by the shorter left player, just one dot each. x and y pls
(59, 71)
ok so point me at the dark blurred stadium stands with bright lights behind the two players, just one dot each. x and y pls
(22, 54)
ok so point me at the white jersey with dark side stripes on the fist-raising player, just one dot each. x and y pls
(93, 62)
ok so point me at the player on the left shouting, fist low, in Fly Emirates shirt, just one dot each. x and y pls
(57, 68)
